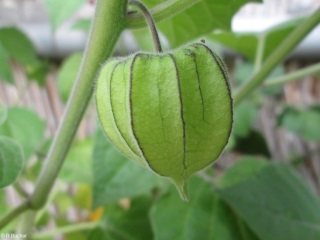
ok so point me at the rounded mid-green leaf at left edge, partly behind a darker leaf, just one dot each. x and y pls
(25, 127)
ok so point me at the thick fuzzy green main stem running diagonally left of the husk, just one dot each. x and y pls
(108, 23)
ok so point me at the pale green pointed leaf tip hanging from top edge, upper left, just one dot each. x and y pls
(60, 10)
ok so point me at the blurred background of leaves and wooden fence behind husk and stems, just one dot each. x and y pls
(265, 185)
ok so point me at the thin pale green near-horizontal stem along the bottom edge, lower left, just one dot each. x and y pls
(68, 229)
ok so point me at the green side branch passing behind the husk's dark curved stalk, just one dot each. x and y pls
(163, 11)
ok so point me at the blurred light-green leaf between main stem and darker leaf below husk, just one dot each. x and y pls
(78, 163)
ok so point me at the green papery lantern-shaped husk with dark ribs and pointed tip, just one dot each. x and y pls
(171, 112)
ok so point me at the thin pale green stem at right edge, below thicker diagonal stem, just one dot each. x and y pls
(294, 75)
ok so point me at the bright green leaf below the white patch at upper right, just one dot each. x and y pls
(247, 43)
